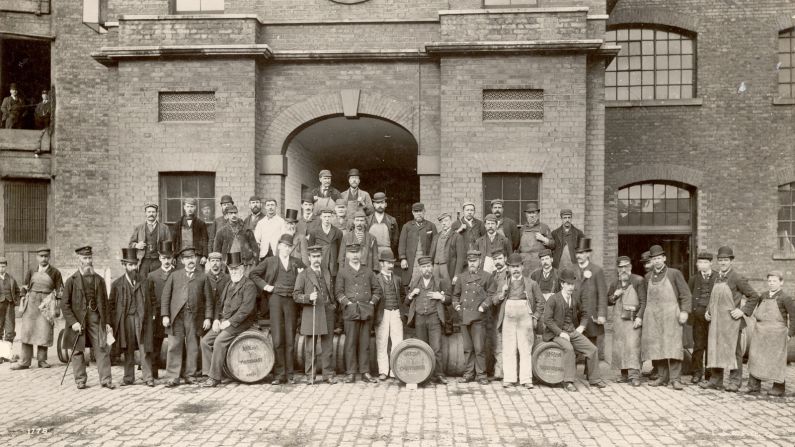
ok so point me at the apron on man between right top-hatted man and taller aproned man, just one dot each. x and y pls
(626, 339)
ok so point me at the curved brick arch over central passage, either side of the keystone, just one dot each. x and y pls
(294, 118)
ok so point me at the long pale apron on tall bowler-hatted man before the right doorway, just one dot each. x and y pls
(662, 334)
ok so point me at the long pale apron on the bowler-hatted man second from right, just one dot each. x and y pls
(723, 329)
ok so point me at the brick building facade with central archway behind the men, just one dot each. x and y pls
(479, 98)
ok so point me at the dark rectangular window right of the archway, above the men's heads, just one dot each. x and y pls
(515, 189)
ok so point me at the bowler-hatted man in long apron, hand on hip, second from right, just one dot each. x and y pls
(725, 314)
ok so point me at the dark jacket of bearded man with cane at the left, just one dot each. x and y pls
(75, 307)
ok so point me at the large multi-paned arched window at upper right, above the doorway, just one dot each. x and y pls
(652, 64)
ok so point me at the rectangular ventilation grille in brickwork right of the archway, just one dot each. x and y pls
(513, 105)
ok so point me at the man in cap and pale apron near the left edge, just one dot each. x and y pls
(42, 287)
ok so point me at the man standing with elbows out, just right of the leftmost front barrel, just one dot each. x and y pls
(276, 276)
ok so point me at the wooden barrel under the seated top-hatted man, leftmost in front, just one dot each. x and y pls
(250, 356)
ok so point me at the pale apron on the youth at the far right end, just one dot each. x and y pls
(767, 359)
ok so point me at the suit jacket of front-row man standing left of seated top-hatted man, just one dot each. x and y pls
(197, 294)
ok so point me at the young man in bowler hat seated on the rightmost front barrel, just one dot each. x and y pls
(562, 311)
